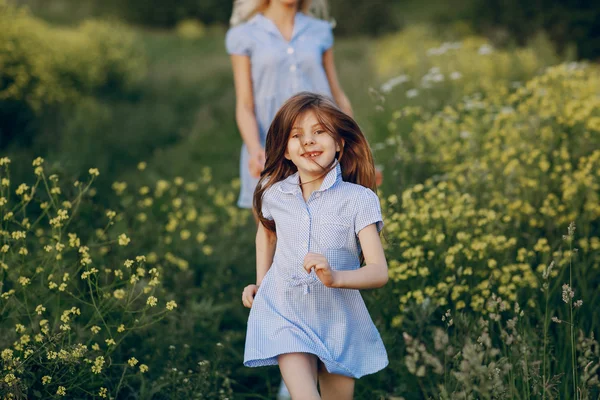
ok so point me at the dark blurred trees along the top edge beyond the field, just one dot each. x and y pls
(566, 22)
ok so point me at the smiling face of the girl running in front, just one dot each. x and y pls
(310, 147)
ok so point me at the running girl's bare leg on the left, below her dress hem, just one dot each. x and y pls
(299, 371)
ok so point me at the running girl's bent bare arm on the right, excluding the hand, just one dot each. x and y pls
(375, 273)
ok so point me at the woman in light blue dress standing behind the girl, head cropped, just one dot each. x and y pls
(276, 50)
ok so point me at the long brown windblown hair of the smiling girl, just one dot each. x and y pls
(355, 156)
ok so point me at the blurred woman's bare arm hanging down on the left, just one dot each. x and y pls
(244, 112)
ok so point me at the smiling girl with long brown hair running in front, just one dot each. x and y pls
(319, 219)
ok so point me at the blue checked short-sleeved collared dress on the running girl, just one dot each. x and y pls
(292, 310)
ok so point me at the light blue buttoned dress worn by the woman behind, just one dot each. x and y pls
(280, 69)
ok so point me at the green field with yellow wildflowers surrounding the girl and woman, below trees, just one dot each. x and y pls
(489, 154)
